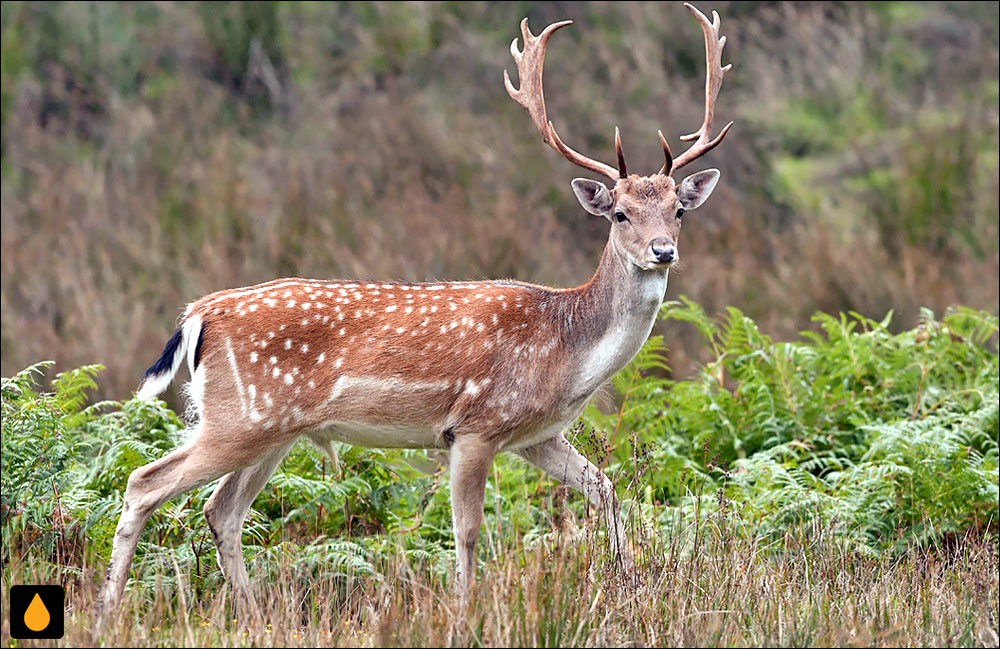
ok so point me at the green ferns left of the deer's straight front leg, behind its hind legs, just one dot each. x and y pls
(65, 466)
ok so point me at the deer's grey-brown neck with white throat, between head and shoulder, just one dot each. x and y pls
(609, 318)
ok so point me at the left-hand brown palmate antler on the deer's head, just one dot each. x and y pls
(530, 63)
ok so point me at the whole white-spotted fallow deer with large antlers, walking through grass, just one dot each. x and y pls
(470, 368)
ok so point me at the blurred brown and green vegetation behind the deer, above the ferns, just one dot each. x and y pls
(153, 152)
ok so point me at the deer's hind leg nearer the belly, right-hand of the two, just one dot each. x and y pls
(225, 512)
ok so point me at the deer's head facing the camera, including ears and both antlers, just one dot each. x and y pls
(645, 211)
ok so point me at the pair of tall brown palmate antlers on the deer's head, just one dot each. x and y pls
(530, 62)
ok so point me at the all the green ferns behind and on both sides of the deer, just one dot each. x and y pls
(879, 441)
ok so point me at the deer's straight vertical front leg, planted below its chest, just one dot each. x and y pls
(470, 465)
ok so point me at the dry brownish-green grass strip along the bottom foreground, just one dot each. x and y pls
(701, 585)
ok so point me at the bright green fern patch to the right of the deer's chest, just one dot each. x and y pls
(885, 440)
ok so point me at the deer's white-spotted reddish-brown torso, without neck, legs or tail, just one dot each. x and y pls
(382, 364)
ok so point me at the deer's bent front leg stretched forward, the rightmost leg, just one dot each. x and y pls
(560, 460)
